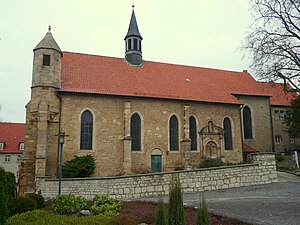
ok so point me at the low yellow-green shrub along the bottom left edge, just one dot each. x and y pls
(40, 217)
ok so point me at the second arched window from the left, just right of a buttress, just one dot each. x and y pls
(135, 132)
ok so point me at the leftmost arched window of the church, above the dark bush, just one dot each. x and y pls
(86, 131)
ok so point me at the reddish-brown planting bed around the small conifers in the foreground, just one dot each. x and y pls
(146, 213)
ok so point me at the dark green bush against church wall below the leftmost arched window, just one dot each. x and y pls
(80, 166)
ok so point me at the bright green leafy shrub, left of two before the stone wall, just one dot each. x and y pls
(68, 204)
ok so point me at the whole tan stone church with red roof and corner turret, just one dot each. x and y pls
(137, 116)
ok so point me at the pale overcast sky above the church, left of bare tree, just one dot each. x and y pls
(205, 33)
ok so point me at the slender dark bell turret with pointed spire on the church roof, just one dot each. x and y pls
(133, 42)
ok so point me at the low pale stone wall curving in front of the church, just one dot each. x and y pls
(261, 171)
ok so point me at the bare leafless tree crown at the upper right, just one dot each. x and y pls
(274, 43)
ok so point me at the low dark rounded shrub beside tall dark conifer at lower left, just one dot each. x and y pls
(21, 204)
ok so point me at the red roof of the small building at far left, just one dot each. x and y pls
(12, 134)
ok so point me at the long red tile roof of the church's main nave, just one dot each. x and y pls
(113, 76)
